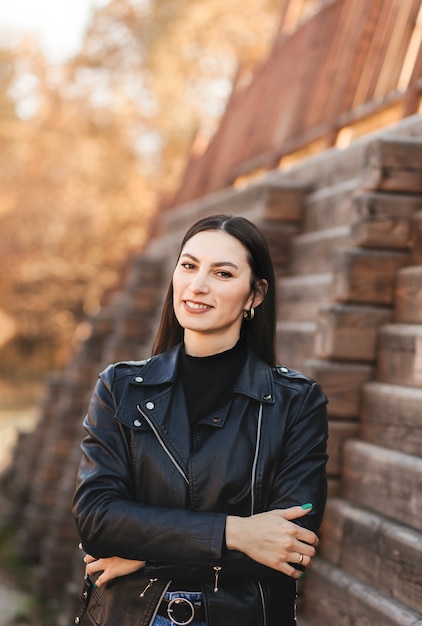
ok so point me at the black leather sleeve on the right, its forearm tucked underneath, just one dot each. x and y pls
(300, 478)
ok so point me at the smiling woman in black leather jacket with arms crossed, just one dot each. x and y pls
(202, 484)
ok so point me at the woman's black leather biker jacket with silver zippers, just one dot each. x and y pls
(150, 489)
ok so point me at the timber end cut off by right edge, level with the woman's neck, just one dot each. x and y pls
(400, 354)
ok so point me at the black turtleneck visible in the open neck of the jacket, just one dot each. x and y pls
(208, 381)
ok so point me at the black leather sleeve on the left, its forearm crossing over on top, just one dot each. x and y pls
(108, 519)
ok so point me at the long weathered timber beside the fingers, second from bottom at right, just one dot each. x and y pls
(374, 550)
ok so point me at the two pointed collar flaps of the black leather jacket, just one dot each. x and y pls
(255, 379)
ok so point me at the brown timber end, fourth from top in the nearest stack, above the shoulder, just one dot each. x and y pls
(349, 332)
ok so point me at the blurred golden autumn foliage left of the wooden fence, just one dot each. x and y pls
(88, 148)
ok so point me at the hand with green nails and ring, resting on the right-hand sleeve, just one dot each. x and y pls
(273, 539)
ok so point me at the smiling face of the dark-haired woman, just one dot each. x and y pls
(212, 288)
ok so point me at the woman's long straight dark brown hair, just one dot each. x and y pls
(259, 332)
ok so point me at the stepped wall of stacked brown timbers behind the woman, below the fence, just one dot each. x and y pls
(345, 232)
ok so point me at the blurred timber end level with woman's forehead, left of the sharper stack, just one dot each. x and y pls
(314, 253)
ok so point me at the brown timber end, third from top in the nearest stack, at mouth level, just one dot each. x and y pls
(365, 275)
